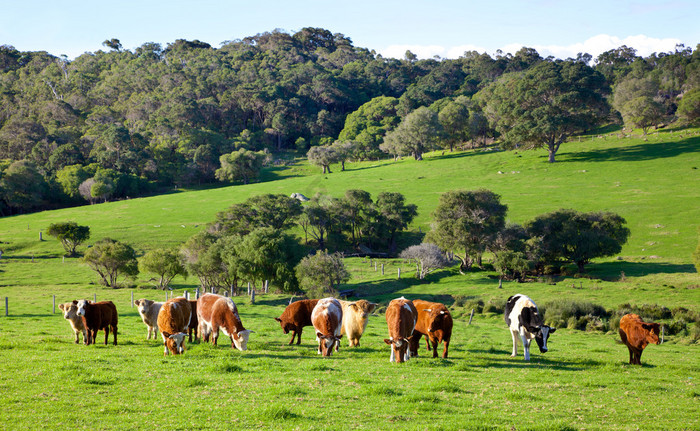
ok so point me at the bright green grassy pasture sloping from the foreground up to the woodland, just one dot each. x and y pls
(583, 382)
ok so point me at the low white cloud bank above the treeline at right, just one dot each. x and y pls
(595, 46)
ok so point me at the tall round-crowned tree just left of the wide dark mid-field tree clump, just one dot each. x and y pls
(467, 221)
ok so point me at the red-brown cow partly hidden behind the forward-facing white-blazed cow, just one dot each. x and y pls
(435, 322)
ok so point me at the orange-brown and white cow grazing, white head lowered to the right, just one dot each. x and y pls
(216, 312)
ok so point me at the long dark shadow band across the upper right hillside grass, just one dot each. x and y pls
(640, 152)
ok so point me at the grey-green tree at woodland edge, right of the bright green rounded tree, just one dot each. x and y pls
(419, 132)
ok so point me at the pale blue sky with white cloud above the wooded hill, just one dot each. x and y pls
(445, 28)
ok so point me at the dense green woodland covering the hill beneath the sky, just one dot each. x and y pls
(120, 123)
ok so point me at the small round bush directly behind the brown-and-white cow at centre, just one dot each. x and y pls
(320, 274)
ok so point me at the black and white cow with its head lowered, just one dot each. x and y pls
(524, 321)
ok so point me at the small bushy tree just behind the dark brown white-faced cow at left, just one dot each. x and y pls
(110, 258)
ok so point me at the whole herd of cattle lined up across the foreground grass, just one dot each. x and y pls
(407, 321)
